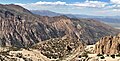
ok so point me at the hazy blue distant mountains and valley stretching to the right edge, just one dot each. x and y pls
(111, 20)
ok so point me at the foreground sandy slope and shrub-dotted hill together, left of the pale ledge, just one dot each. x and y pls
(50, 50)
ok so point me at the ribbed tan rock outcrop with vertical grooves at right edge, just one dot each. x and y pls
(108, 45)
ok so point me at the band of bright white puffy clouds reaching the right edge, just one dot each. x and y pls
(87, 3)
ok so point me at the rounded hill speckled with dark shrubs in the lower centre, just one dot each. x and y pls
(57, 48)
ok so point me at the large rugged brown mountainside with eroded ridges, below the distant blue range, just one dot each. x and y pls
(20, 28)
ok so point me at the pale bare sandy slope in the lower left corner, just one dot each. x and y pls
(15, 54)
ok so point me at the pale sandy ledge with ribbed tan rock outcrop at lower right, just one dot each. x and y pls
(107, 49)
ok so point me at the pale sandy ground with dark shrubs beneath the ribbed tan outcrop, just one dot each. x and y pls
(89, 55)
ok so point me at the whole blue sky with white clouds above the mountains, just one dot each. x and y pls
(87, 7)
